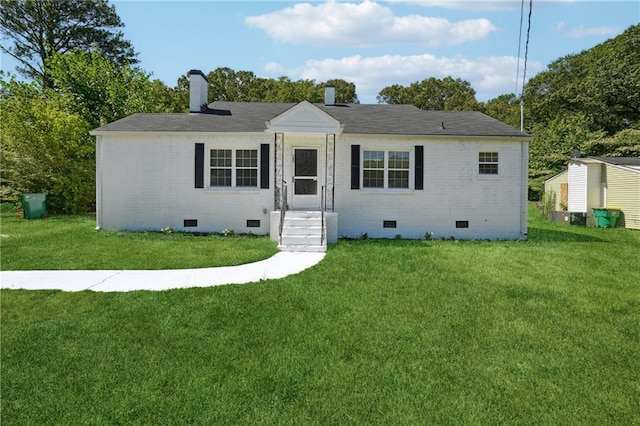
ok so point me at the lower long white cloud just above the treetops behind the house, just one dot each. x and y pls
(490, 76)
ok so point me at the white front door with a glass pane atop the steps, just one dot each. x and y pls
(306, 185)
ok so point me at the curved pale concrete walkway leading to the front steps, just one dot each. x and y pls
(280, 265)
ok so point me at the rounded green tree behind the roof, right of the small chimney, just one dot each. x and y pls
(447, 94)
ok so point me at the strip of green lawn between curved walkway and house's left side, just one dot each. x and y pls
(71, 242)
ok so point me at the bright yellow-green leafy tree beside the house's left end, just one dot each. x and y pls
(45, 149)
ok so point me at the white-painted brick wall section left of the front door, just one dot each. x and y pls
(147, 183)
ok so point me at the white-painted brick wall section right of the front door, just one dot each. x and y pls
(453, 191)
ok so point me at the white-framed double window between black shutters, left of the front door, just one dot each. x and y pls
(234, 168)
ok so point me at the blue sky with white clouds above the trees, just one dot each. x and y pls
(373, 44)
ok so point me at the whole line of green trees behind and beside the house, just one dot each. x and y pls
(84, 75)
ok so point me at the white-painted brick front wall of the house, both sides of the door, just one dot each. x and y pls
(147, 182)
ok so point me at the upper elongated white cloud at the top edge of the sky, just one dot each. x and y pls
(364, 24)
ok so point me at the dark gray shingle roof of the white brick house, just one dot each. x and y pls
(356, 118)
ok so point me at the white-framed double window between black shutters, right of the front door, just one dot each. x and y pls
(385, 169)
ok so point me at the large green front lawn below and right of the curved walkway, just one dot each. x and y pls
(380, 332)
